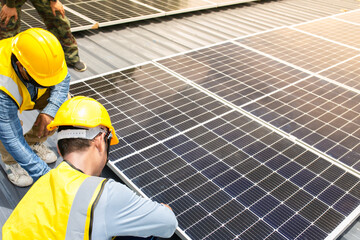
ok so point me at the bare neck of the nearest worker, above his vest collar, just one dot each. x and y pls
(86, 161)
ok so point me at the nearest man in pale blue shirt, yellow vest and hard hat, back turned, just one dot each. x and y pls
(72, 201)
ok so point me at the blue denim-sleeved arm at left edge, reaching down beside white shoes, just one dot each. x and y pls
(11, 135)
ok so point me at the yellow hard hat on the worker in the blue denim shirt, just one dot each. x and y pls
(42, 56)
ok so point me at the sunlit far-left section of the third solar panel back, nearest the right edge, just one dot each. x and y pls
(302, 50)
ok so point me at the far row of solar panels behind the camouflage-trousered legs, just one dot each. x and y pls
(92, 14)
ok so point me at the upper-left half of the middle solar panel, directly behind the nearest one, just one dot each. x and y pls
(234, 73)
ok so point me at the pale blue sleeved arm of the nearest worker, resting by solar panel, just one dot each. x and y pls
(120, 212)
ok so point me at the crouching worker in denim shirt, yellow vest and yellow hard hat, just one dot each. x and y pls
(33, 75)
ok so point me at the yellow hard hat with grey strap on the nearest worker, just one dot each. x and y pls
(83, 111)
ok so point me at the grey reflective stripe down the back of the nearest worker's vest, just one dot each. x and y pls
(77, 218)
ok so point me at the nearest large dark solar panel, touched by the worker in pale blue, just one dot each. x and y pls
(225, 174)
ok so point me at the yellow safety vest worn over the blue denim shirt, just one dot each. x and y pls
(10, 82)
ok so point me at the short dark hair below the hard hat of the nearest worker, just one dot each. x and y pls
(70, 145)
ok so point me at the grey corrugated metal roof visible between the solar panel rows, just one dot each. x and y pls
(121, 46)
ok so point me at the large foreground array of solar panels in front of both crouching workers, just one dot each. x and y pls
(253, 138)
